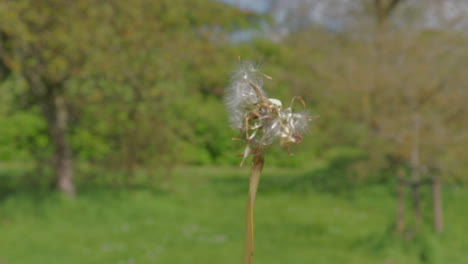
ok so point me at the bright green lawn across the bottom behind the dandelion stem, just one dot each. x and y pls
(198, 217)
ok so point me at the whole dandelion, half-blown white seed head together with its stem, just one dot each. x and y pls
(262, 121)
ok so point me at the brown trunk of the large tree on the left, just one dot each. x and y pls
(63, 161)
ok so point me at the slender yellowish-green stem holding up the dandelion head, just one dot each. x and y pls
(257, 167)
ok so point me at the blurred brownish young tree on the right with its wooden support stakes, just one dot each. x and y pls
(404, 92)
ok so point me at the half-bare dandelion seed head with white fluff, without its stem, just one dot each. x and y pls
(261, 119)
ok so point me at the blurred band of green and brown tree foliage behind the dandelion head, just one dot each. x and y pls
(141, 84)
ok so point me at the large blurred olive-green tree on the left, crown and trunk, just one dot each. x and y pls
(128, 61)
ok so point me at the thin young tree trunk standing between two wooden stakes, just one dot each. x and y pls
(415, 172)
